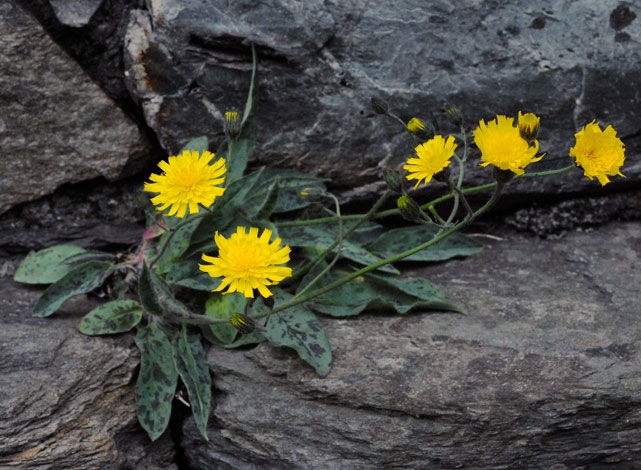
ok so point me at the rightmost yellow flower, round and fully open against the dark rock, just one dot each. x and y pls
(599, 153)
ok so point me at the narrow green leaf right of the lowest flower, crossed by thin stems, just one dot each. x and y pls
(320, 236)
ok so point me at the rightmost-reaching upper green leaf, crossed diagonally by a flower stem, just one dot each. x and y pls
(398, 240)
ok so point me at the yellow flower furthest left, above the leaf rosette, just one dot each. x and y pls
(187, 180)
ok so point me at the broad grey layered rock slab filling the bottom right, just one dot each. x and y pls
(543, 372)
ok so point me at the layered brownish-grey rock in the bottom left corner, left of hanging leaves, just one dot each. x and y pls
(67, 400)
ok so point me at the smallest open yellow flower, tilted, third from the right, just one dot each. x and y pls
(433, 156)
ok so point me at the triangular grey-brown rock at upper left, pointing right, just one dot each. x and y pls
(56, 125)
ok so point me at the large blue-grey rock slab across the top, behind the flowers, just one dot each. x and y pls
(320, 62)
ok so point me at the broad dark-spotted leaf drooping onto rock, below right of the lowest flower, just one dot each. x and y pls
(298, 328)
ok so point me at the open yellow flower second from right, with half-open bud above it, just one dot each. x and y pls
(501, 145)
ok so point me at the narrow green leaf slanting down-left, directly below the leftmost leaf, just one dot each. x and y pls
(79, 280)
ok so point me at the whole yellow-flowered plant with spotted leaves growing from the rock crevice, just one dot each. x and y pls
(232, 258)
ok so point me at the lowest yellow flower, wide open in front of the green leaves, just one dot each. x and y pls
(247, 262)
